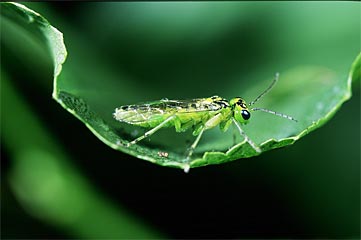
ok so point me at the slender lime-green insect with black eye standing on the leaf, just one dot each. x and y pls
(200, 114)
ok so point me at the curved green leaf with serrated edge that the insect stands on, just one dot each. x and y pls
(311, 94)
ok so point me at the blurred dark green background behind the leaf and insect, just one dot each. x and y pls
(59, 181)
